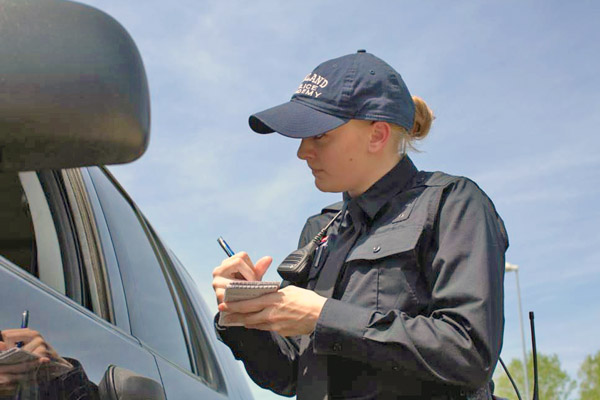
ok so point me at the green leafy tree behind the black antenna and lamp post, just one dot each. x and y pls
(553, 382)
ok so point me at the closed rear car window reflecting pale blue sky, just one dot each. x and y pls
(153, 315)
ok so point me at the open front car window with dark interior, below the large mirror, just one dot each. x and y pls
(37, 233)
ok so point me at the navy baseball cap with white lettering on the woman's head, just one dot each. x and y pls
(355, 86)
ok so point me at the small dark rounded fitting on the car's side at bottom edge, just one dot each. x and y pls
(121, 384)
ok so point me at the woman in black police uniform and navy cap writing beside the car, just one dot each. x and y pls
(405, 298)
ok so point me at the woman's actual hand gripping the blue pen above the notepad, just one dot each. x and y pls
(238, 267)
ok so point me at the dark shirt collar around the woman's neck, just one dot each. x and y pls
(382, 191)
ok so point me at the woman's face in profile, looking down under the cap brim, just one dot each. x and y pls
(338, 158)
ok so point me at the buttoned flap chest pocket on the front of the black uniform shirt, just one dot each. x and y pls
(390, 258)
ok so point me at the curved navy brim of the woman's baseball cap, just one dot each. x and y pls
(294, 119)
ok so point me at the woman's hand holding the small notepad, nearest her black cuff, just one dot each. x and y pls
(290, 311)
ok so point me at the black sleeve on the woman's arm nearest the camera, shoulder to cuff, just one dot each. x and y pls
(458, 340)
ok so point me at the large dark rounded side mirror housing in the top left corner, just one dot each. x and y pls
(73, 90)
